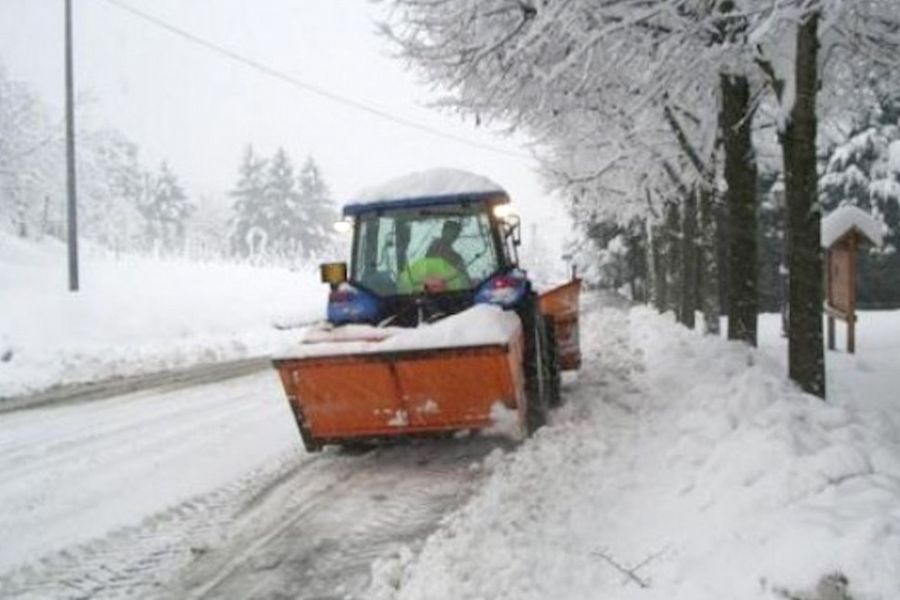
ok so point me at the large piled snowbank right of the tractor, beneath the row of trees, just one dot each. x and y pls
(683, 468)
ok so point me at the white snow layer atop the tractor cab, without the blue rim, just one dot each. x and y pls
(435, 182)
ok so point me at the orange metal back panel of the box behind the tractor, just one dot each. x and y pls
(385, 394)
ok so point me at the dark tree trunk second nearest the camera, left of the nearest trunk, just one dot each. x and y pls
(740, 175)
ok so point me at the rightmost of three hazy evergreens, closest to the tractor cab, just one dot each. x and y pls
(317, 210)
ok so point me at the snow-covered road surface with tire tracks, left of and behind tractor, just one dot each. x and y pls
(206, 492)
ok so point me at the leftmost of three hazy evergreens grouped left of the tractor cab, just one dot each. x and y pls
(249, 225)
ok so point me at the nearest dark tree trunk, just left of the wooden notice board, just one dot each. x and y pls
(806, 357)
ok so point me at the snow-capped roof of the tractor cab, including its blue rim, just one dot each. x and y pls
(427, 188)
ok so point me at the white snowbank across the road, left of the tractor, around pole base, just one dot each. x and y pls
(135, 314)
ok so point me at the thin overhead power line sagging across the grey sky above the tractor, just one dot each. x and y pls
(306, 87)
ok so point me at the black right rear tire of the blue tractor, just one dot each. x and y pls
(535, 366)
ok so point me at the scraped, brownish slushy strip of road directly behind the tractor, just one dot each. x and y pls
(321, 546)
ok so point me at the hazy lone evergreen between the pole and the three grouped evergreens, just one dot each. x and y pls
(165, 210)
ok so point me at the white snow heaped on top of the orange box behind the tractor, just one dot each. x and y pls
(480, 325)
